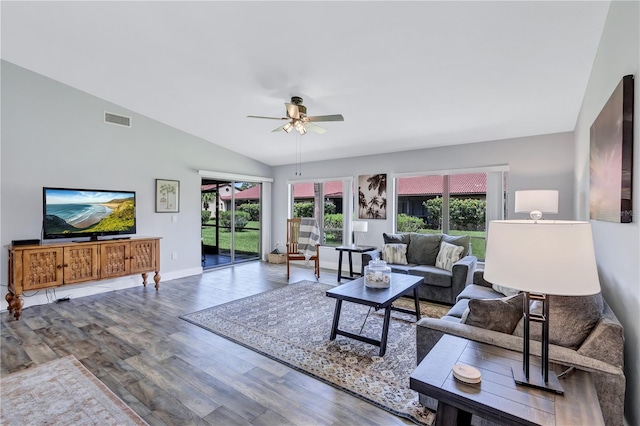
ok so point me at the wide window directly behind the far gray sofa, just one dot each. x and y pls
(454, 204)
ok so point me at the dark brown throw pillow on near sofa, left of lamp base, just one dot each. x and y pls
(500, 315)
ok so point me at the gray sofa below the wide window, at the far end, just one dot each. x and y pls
(440, 285)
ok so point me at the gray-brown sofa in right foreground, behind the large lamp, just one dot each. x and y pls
(584, 333)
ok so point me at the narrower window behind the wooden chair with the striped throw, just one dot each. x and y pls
(323, 201)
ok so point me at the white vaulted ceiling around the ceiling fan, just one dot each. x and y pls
(405, 75)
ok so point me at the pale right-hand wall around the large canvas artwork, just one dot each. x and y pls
(617, 245)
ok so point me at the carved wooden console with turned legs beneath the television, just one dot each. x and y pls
(50, 265)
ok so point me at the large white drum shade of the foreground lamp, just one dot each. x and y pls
(547, 257)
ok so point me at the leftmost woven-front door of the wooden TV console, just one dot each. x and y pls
(42, 268)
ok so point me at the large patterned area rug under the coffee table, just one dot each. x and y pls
(292, 325)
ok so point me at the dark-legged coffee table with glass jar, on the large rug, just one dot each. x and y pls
(356, 292)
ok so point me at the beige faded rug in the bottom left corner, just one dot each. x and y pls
(61, 392)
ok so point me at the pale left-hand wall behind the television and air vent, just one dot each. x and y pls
(54, 135)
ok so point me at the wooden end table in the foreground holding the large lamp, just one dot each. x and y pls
(497, 397)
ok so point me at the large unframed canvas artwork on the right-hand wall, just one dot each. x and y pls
(611, 157)
